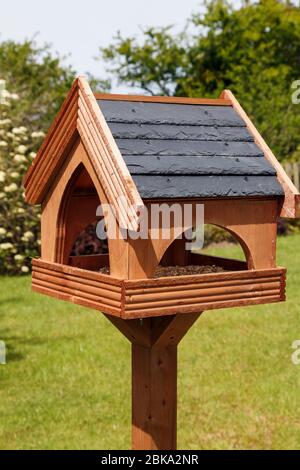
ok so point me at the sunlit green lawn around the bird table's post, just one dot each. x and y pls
(66, 384)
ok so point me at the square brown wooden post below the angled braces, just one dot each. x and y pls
(154, 398)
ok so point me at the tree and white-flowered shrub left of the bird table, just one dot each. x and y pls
(38, 83)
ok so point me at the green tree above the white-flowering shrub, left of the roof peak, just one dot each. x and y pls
(40, 79)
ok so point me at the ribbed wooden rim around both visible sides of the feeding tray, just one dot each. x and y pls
(141, 298)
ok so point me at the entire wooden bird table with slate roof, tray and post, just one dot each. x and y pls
(126, 155)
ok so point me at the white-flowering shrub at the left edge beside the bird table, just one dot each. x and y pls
(19, 222)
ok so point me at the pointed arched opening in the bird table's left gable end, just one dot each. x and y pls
(77, 241)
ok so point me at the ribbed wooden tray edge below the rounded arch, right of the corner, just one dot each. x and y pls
(202, 292)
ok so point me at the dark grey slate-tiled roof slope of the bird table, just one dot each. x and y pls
(189, 150)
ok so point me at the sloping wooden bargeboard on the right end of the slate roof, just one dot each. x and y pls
(291, 204)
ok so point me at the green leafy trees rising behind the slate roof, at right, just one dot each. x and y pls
(252, 50)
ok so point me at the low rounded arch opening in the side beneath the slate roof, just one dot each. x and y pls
(221, 251)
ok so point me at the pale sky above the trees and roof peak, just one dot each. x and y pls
(79, 28)
